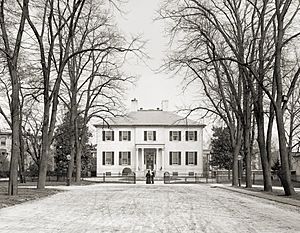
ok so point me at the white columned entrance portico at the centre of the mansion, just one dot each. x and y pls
(149, 156)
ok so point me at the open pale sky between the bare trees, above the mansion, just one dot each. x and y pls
(152, 87)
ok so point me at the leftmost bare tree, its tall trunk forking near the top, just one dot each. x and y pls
(11, 50)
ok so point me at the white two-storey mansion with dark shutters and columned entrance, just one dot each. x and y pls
(150, 139)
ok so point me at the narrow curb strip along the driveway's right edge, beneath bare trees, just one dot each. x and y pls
(282, 200)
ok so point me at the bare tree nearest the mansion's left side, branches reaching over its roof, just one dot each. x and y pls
(94, 82)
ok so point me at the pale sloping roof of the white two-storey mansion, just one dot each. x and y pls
(152, 118)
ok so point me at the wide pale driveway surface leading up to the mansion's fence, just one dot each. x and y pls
(149, 208)
